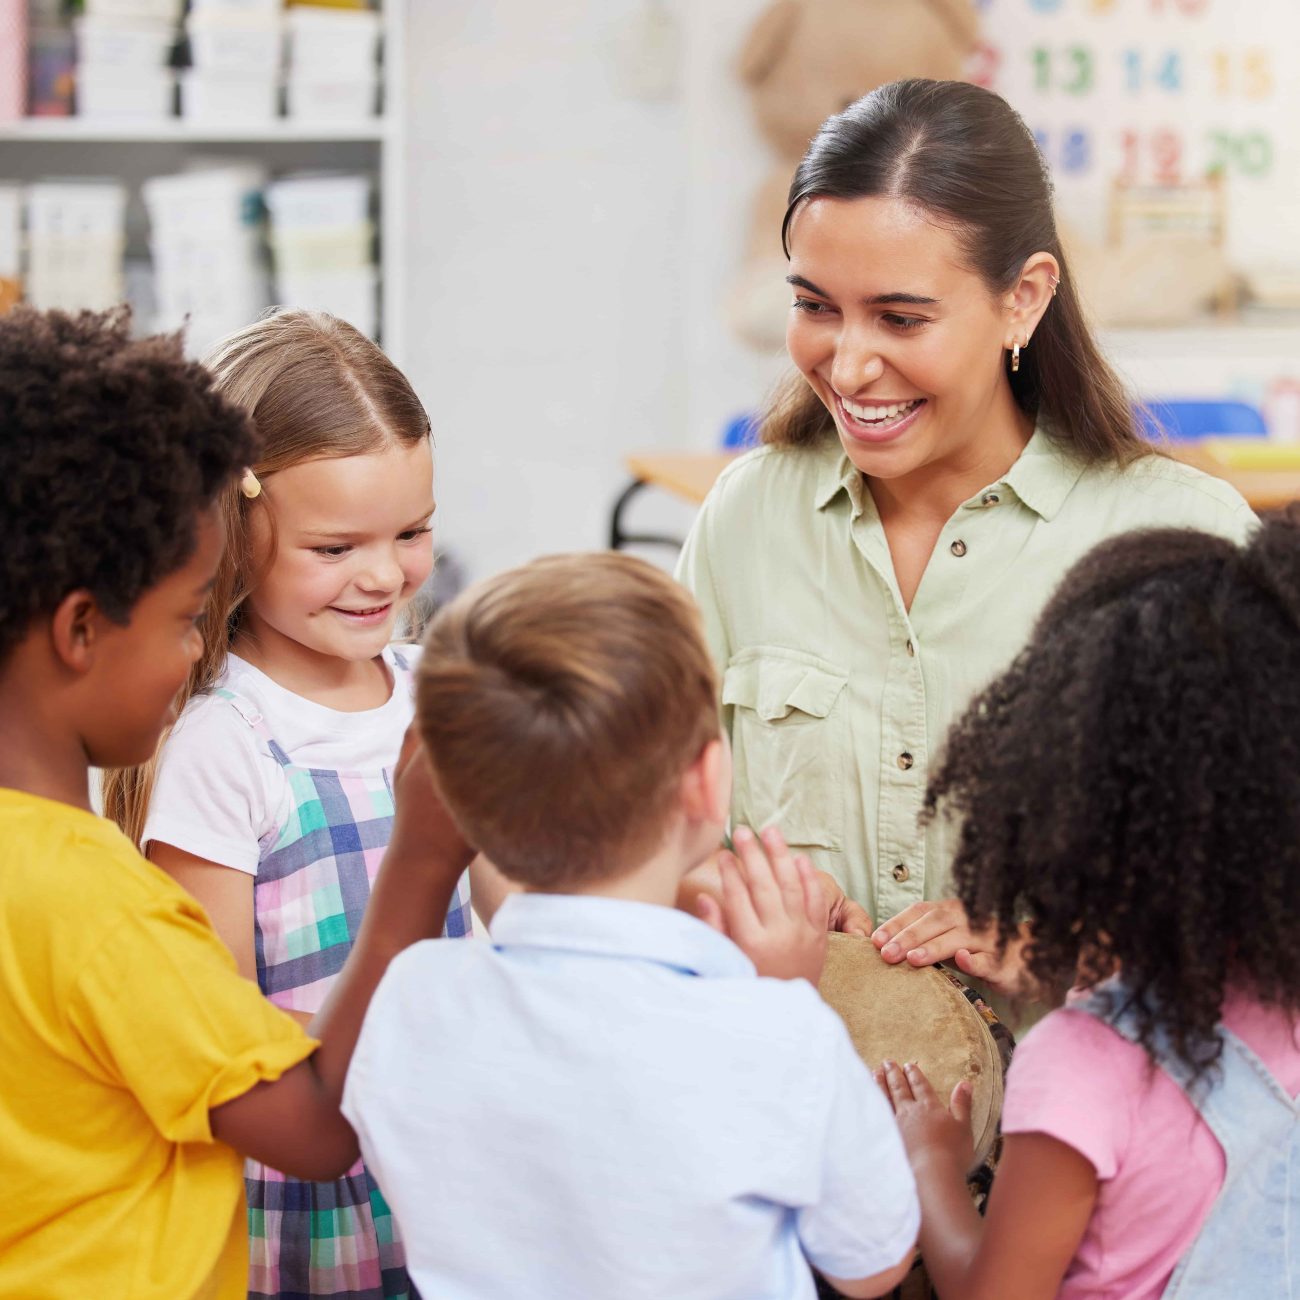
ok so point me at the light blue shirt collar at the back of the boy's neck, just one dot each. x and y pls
(617, 928)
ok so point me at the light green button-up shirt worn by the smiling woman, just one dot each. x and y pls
(835, 696)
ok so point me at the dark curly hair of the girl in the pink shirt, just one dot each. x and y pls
(1132, 786)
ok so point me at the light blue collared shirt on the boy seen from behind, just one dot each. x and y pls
(608, 1102)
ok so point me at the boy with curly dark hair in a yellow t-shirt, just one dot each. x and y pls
(138, 1068)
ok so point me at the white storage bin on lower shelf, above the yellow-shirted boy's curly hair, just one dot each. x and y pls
(76, 242)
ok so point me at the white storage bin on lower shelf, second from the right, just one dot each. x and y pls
(206, 239)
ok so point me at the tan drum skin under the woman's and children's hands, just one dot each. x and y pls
(904, 1013)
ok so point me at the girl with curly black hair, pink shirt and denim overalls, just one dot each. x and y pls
(1129, 798)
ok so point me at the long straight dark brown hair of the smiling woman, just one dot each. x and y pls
(964, 155)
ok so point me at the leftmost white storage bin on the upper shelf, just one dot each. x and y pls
(124, 55)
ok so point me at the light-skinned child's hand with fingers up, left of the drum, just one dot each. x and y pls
(773, 907)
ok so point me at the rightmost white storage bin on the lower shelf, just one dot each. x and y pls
(323, 246)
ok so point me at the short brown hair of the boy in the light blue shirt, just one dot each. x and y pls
(561, 705)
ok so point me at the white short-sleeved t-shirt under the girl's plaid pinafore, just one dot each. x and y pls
(222, 796)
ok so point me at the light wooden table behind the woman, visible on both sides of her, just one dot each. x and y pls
(690, 475)
